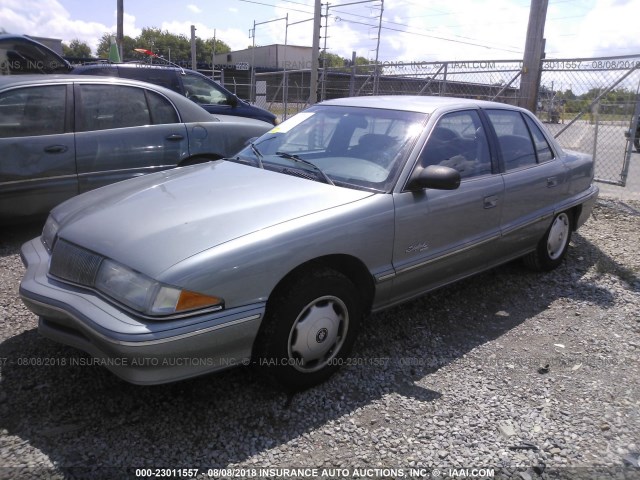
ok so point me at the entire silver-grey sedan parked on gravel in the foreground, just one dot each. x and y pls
(276, 255)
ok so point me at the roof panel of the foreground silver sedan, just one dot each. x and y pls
(414, 103)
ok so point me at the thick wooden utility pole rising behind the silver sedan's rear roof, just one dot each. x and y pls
(533, 54)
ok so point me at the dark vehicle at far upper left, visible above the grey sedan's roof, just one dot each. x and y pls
(20, 54)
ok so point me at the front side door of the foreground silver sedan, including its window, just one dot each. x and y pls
(445, 235)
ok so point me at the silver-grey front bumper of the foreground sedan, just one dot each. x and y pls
(138, 351)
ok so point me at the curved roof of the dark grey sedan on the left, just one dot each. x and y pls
(190, 111)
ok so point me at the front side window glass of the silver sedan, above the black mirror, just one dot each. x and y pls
(458, 141)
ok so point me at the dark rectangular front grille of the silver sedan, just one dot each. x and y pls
(74, 264)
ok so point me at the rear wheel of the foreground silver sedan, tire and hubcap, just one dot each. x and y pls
(553, 246)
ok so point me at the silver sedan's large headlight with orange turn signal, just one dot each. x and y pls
(148, 296)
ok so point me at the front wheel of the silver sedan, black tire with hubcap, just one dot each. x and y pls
(308, 329)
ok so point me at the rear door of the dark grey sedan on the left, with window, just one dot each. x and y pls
(124, 131)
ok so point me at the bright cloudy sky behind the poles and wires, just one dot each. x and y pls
(412, 30)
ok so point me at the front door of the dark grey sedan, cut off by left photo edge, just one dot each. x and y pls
(37, 151)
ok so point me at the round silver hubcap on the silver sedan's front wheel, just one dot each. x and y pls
(318, 334)
